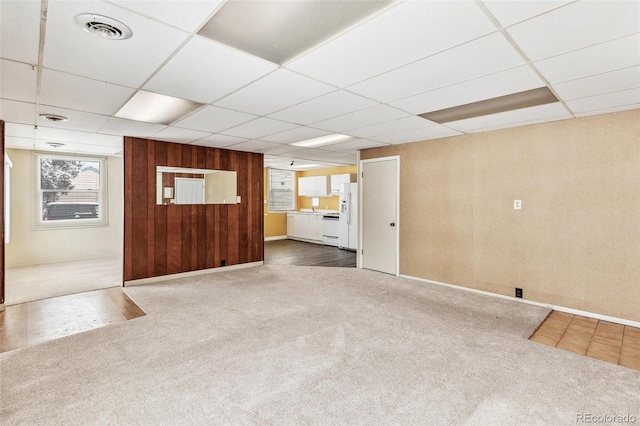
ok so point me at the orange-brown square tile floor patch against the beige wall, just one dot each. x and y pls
(606, 341)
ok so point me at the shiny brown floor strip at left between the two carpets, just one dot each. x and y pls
(28, 324)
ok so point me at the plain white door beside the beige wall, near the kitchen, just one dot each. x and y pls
(380, 215)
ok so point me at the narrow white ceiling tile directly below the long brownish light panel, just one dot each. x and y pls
(548, 112)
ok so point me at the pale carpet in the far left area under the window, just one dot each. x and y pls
(29, 283)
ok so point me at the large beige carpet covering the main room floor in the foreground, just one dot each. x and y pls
(304, 345)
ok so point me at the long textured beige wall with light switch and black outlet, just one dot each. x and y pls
(576, 241)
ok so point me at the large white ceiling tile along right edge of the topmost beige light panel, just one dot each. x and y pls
(405, 33)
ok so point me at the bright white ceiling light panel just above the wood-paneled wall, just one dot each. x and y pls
(154, 108)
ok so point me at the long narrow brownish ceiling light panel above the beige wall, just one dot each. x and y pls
(526, 99)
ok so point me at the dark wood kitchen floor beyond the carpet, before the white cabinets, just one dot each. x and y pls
(291, 252)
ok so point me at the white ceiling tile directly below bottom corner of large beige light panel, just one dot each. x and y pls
(274, 92)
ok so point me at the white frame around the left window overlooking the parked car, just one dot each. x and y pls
(103, 206)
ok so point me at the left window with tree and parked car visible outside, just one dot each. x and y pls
(71, 191)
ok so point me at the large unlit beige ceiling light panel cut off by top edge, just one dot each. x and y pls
(278, 31)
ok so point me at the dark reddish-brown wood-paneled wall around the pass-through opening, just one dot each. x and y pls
(169, 239)
